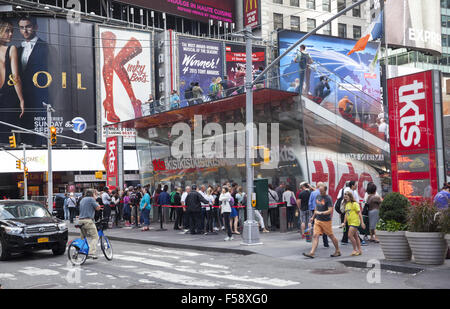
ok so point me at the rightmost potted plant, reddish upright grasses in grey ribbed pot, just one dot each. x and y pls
(427, 243)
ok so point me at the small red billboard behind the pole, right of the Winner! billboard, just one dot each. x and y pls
(235, 63)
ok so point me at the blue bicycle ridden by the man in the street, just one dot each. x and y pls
(78, 249)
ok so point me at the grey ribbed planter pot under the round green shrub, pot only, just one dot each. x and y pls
(394, 245)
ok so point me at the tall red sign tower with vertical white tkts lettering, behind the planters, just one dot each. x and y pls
(416, 133)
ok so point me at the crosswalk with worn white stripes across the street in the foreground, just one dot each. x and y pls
(148, 266)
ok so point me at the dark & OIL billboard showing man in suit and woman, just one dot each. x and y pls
(55, 62)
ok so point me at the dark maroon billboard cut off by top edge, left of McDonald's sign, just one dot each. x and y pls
(202, 10)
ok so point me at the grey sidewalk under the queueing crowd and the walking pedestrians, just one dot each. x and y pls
(284, 246)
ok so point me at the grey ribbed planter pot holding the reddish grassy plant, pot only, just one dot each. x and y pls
(427, 248)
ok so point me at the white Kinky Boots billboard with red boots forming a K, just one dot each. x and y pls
(124, 72)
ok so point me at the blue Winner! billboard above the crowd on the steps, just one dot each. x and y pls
(200, 61)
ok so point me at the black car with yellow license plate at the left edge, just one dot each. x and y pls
(27, 226)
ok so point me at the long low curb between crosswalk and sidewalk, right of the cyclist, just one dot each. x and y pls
(175, 245)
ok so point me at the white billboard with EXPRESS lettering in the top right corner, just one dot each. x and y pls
(414, 24)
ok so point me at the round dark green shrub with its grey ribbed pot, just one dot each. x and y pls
(392, 226)
